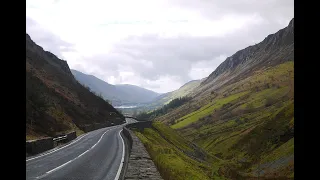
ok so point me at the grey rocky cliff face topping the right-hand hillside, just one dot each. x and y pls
(273, 50)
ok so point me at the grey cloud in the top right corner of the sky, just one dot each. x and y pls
(270, 10)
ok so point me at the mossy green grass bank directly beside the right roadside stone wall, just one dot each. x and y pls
(170, 161)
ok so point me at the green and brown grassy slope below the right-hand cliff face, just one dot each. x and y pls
(245, 126)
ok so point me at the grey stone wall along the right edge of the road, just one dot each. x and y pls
(140, 165)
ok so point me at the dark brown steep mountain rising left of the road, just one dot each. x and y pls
(55, 101)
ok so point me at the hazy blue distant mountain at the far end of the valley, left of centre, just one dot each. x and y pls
(118, 94)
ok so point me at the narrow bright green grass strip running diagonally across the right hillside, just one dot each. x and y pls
(206, 110)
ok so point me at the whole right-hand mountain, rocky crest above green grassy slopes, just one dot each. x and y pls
(242, 114)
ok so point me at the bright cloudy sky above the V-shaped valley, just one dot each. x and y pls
(158, 45)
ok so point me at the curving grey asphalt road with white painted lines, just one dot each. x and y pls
(97, 155)
